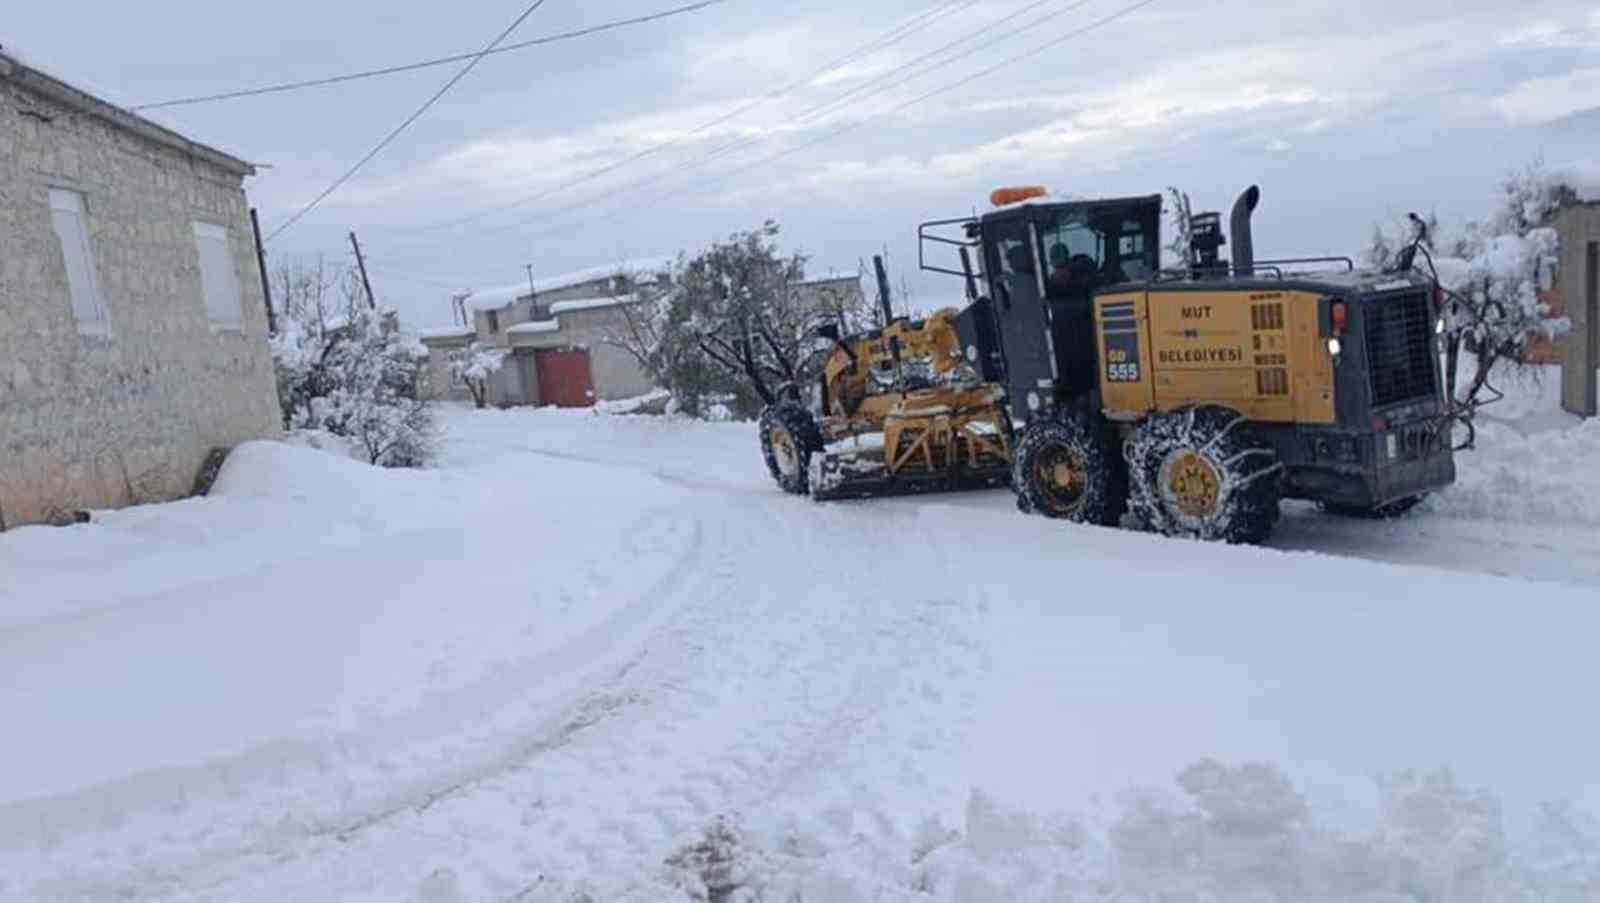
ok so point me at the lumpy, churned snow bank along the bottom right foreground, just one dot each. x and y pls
(1230, 833)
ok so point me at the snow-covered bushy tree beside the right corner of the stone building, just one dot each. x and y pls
(351, 374)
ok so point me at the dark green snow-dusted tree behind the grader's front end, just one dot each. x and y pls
(734, 321)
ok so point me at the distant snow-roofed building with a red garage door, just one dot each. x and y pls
(559, 334)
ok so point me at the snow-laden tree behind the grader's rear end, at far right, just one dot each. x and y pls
(1492, 273)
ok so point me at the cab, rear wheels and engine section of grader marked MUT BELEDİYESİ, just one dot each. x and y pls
(1201, 396)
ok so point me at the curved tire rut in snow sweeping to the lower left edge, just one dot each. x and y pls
(281, 795)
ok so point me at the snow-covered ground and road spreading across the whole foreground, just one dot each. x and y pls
(602, 656)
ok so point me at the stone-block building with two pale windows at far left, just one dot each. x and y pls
(134, 334)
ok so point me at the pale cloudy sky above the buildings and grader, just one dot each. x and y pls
(849, 122)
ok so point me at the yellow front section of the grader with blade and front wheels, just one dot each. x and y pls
(895, 411)
